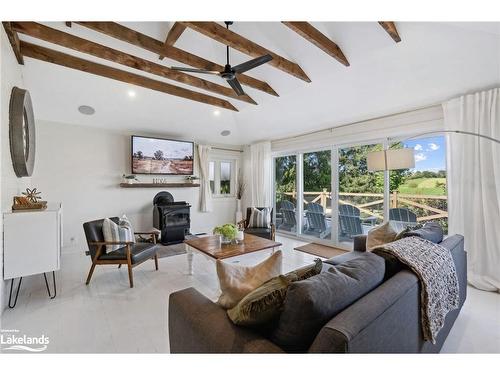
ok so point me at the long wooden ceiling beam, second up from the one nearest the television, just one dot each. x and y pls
(50, 35)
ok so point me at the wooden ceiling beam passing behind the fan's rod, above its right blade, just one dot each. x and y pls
(221, 34)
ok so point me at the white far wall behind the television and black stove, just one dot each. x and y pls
(82, 166)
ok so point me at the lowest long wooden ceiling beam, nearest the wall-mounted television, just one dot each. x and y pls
(59, 58)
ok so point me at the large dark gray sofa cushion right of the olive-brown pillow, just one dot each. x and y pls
(311, 303)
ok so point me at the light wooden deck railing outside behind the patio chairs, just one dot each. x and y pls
(418, 202)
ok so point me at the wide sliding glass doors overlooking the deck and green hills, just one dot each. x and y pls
(330, 196)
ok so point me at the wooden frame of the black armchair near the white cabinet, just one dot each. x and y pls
(127, 261)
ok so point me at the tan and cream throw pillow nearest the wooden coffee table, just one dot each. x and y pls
(237, 281)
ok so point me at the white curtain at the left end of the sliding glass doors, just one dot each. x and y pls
(259, 176)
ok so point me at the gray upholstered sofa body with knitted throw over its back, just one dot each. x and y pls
(385, 320)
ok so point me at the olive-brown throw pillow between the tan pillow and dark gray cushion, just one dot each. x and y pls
(264, 304)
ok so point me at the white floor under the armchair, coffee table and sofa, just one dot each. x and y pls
(109, 317)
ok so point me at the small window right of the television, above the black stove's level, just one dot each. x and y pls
(222, 177)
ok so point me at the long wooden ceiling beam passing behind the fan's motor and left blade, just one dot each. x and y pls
(136, 38)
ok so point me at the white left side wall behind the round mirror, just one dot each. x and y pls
(10, 185)
